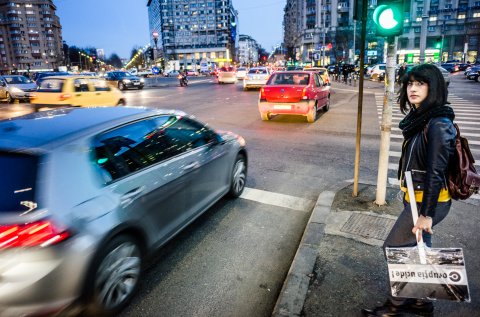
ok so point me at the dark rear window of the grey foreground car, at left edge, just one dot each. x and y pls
(18, 185)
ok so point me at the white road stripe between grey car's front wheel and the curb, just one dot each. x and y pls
(276, 199)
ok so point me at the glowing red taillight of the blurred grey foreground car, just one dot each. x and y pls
(36, 234)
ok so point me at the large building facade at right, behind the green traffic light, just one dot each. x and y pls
(316, 27)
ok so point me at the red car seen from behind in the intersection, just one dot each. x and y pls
(294, 92)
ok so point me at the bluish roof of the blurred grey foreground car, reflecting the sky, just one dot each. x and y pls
(47, 129)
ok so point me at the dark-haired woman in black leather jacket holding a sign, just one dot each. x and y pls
(428, 146)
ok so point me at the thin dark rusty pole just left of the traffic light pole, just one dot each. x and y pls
(363, 36)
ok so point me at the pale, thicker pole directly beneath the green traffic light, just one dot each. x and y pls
(386, 126)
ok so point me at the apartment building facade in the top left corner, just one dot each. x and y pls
(30, 36)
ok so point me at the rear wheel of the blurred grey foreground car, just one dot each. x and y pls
(114, 277)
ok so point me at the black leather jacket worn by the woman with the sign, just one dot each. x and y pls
(427, 155)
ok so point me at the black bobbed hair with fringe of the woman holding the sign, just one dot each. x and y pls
(437, 88)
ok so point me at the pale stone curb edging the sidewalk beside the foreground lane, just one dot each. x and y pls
(294, 290)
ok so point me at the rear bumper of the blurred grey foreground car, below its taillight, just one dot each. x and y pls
(42, 280)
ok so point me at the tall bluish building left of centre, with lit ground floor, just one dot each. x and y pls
(194, 32)
